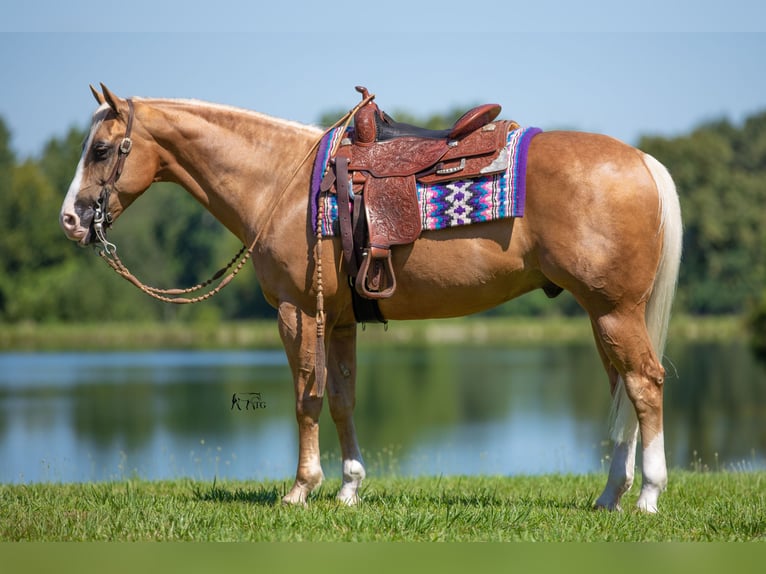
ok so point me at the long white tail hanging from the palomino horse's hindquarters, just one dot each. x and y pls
(624, 422)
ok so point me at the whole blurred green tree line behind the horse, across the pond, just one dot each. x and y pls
(169, 240)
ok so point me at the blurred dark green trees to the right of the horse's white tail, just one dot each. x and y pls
(720, 176)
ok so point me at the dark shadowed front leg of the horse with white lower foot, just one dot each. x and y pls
(341, 392)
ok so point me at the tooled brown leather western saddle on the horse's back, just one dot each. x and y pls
(375, 169)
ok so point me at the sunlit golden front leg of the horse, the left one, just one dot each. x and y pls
(298, 333)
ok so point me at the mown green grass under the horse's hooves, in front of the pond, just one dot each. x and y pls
(698, 506)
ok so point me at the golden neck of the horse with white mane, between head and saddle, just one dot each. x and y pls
(235, 162)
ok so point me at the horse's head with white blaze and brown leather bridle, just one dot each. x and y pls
(116, 166)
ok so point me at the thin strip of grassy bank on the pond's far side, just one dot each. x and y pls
(262, 334)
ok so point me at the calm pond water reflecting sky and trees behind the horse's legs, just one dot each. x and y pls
(71, 417)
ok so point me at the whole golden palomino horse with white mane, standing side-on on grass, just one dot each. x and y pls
(602, 221)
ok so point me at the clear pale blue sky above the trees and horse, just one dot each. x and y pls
(621, 68)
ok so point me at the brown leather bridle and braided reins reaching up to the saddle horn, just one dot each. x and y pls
(102, 219)
